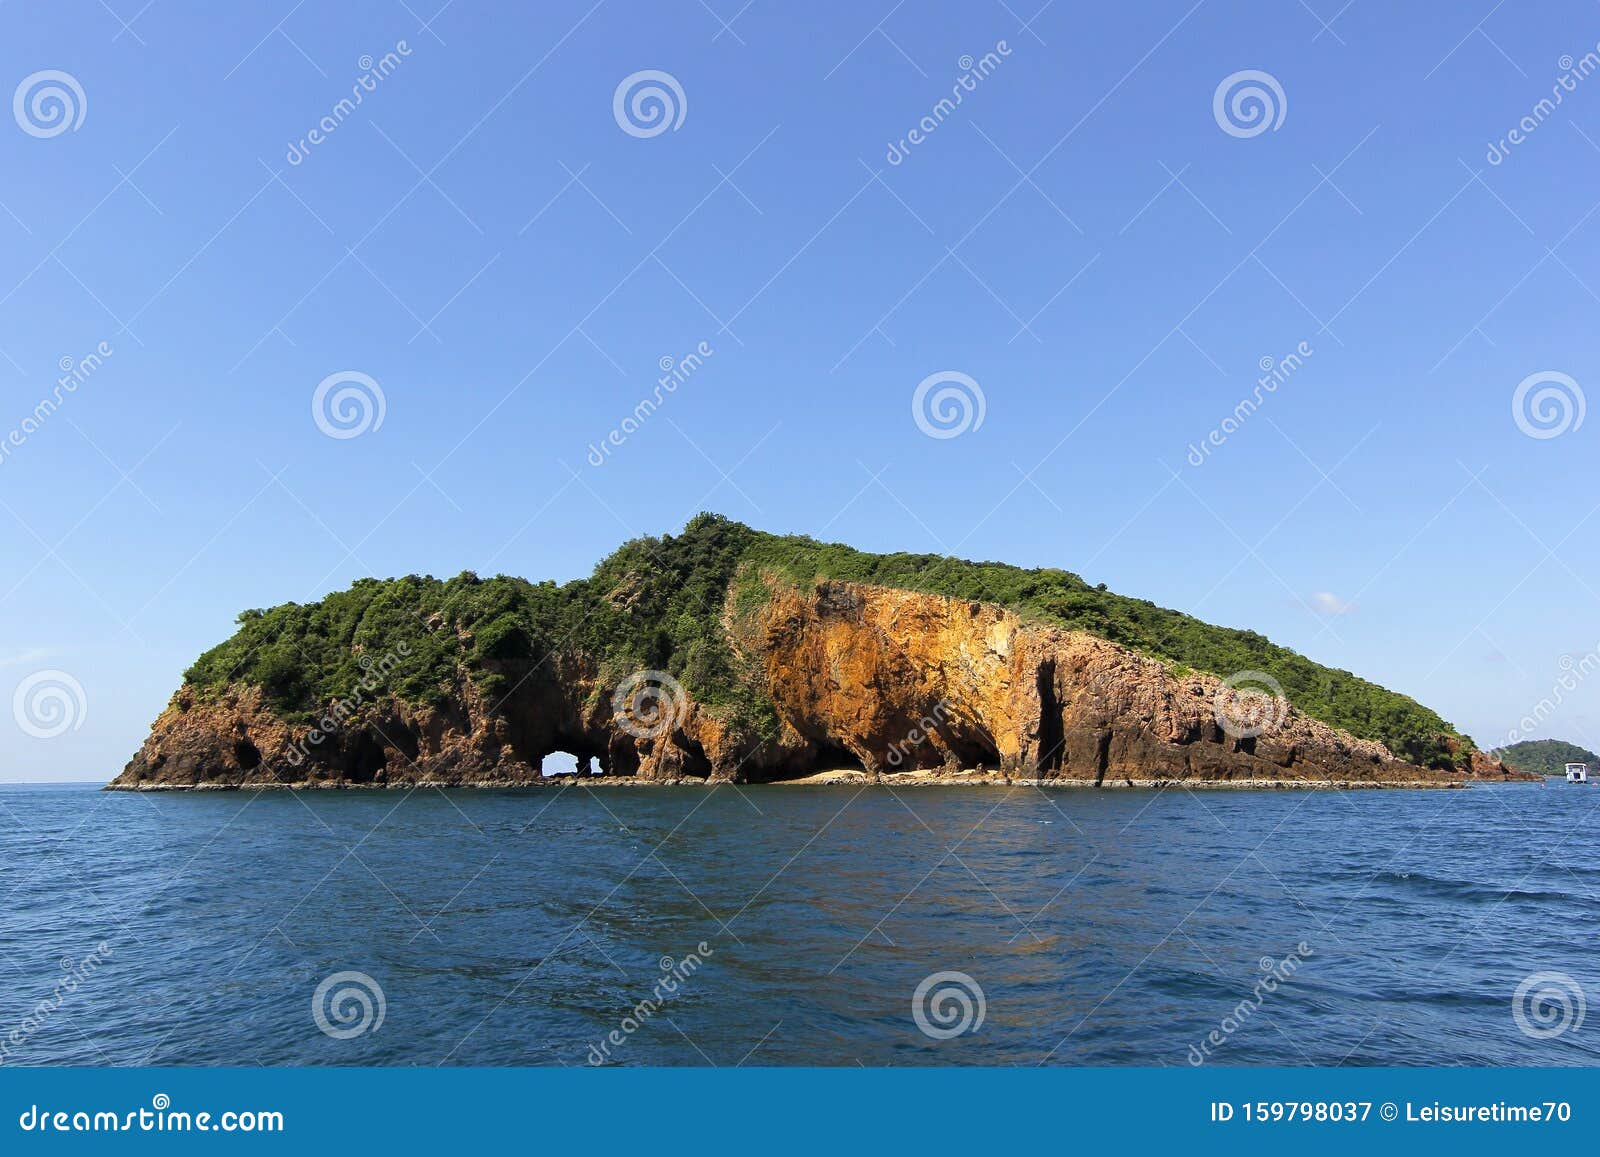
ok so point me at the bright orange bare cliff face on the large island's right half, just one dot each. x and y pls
(910, 681)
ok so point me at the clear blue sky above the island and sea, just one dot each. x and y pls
(1081, 238)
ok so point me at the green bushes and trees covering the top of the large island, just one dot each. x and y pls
(658, 603)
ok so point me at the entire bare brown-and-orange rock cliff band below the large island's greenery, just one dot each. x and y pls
(884, 681)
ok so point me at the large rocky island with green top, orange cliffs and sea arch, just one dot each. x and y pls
(729, 655)
